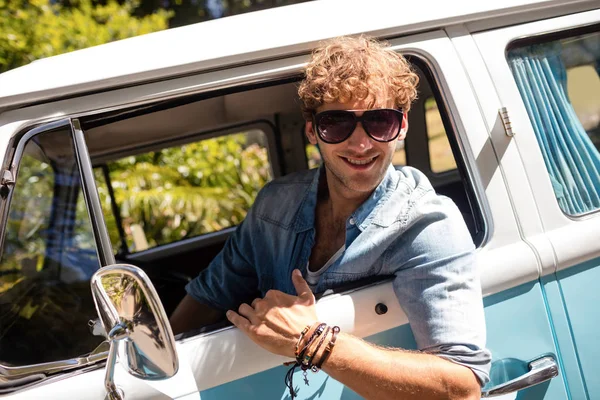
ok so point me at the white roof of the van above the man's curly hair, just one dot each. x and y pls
(235, 40)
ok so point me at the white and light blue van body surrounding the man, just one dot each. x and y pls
(539, 266)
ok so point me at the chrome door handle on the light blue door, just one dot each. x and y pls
(540, 370)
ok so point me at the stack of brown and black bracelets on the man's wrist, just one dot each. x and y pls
(310, 353)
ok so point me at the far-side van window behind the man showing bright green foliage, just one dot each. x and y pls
(184, 191)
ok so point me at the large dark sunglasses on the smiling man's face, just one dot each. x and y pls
(381, 124)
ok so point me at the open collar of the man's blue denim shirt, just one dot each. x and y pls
(363, 216)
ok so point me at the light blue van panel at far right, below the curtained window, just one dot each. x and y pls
(581, 294)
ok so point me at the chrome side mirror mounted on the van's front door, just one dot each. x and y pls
(136, 323)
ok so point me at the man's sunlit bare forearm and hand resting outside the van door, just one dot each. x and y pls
(276, 321)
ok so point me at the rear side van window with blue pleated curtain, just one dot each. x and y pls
(559, 83)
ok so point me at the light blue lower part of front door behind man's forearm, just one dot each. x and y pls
(519, 331)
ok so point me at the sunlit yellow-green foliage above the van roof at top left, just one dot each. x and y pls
(33, 29)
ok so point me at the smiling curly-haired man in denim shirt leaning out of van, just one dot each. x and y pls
(355, 217)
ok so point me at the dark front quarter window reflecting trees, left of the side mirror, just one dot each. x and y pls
(48, 259)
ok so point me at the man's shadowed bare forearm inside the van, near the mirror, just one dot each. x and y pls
(191, 314)
